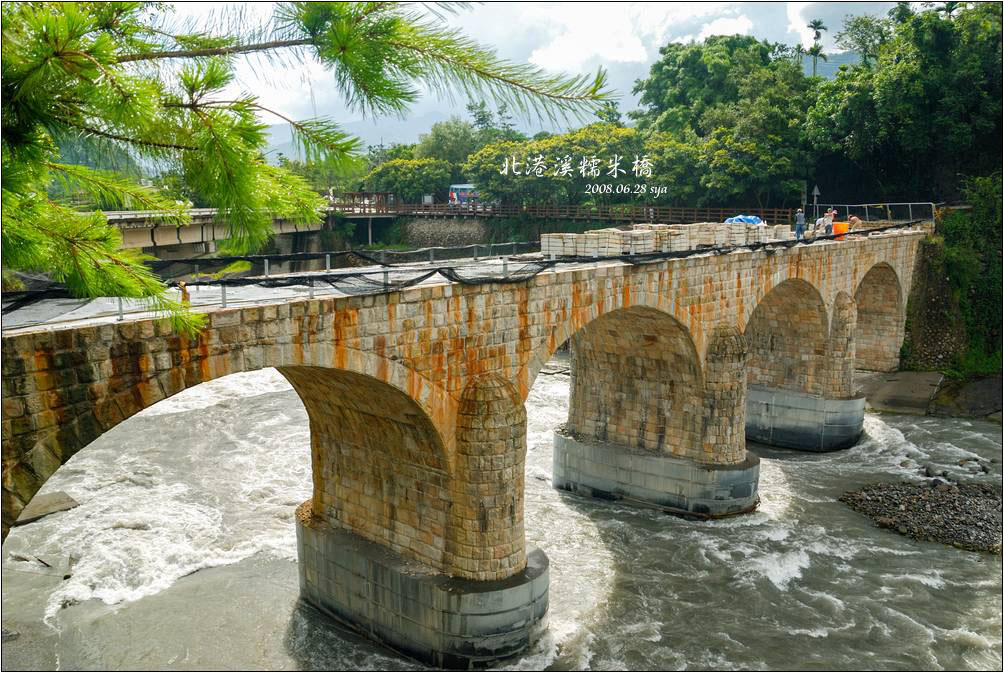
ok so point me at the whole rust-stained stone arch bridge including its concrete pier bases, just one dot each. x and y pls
(415, 528)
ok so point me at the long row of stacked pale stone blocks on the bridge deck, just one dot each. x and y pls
(650, 238)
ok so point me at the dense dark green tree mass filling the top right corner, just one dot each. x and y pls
(932, 102)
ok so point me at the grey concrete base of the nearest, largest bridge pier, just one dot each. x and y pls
(436, 619)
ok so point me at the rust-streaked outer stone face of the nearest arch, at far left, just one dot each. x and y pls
(65, 389)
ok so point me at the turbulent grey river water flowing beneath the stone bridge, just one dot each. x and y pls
(210, 480)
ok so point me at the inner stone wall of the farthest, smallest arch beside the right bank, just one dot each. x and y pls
(881, 320)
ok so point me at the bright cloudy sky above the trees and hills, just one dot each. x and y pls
(570, 38)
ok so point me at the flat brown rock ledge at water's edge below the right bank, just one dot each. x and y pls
(931, 394)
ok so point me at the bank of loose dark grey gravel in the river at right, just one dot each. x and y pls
(966, 516)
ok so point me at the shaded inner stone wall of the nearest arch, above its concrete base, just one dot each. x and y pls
(379, 465)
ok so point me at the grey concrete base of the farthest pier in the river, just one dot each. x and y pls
(802, 421)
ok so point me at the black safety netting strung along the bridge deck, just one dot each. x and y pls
(504, 264)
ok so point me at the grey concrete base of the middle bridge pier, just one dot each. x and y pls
(609, 471)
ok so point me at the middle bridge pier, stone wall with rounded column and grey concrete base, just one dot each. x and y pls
(648, 420)
